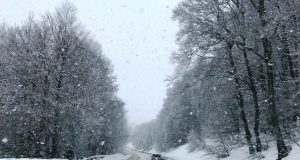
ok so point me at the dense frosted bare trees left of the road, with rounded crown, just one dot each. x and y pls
(58, 93)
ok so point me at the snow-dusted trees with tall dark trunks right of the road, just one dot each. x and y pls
(237, 78)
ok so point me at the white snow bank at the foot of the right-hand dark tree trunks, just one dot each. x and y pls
(182, 153)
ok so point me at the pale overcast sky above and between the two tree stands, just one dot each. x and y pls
(137, 35)
